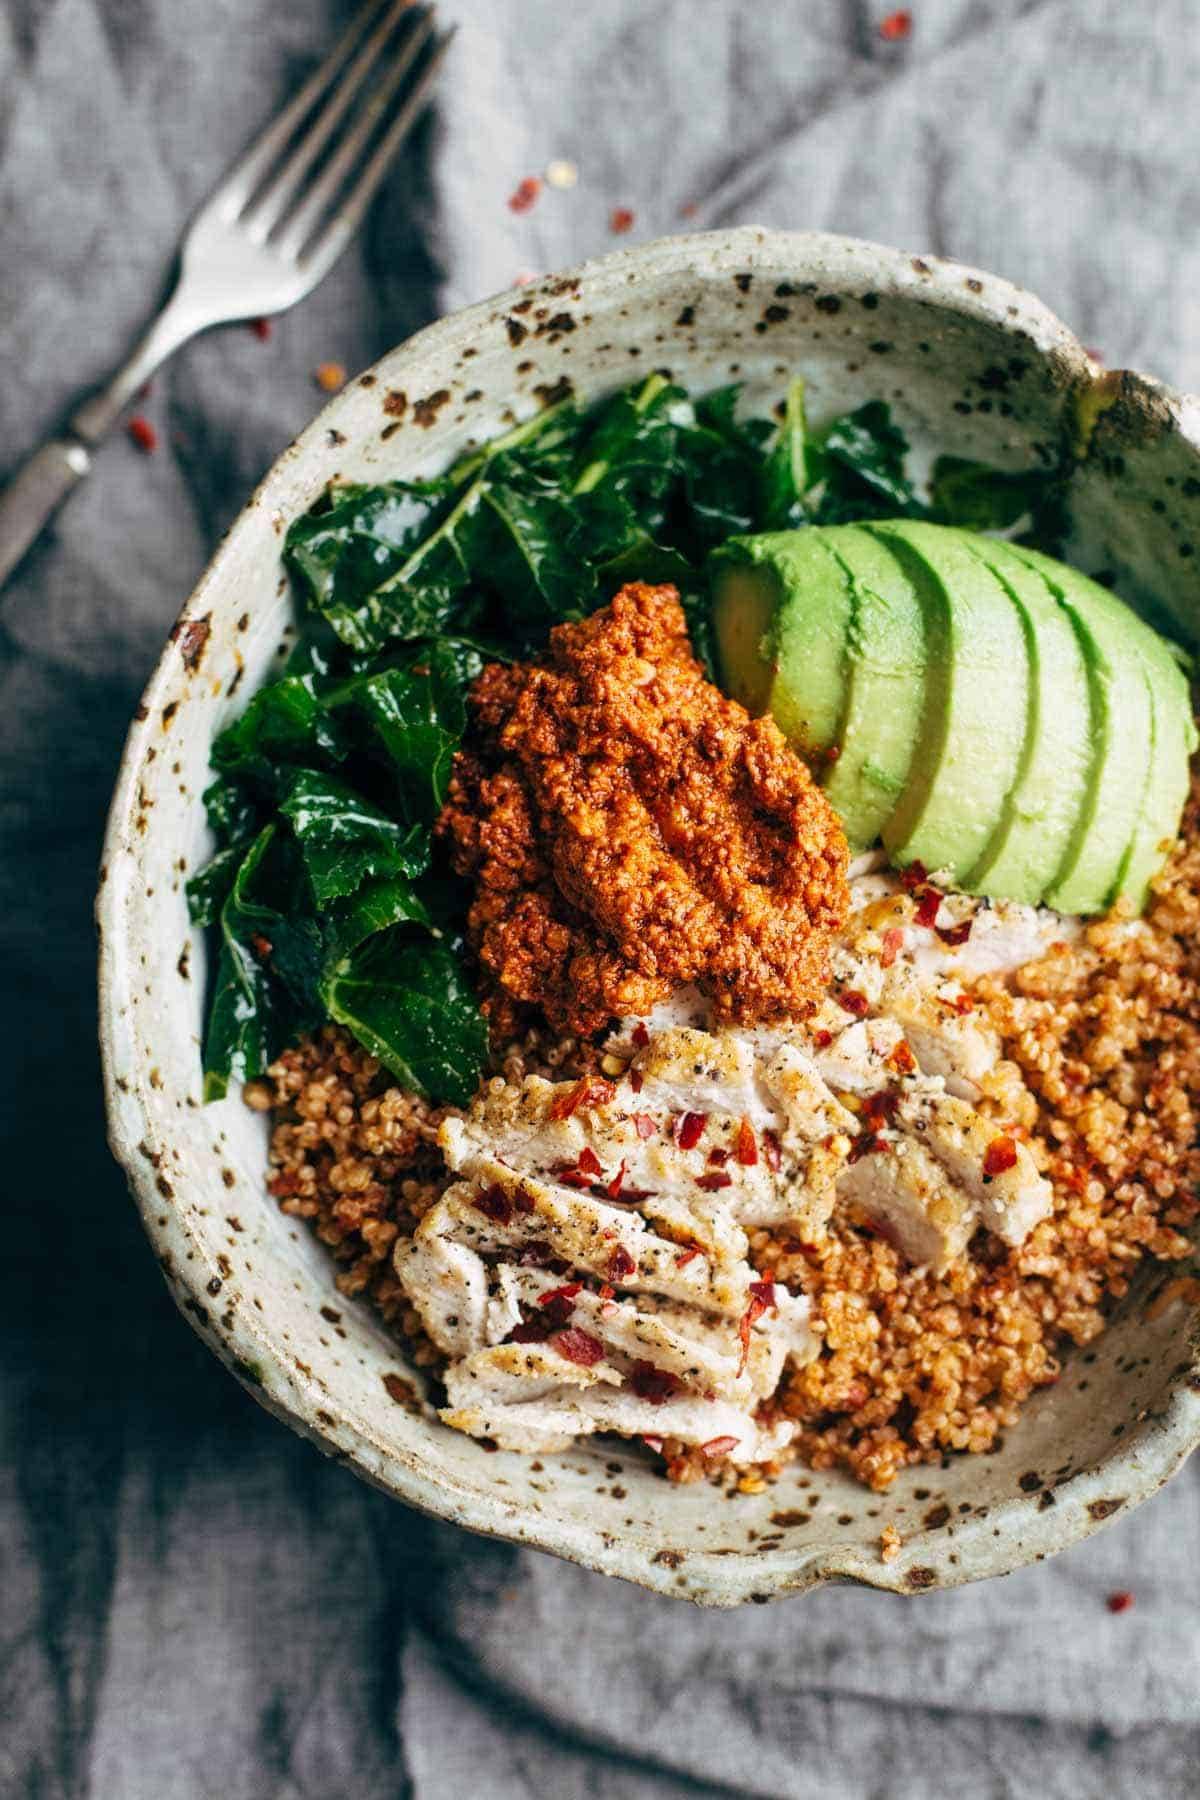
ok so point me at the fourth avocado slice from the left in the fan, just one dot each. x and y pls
(1050, 793)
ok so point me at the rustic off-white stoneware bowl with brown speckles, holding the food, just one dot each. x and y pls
(972, 366)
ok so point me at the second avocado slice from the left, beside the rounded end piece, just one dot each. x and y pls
(886, 687)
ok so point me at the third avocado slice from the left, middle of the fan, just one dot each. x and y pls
(976, 703)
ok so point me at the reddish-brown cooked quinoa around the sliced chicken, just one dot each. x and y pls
(1104, 1083)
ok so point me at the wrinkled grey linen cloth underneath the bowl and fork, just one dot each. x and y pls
(193, 1603)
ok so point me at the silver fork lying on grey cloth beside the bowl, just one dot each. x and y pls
(267, 237)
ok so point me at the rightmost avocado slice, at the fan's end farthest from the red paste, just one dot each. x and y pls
(1149, 737)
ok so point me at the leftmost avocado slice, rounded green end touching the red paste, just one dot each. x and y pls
(782, 611)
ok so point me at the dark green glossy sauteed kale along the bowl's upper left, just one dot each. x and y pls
(325, 895)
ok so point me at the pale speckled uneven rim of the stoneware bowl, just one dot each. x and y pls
(1138, 1471)
